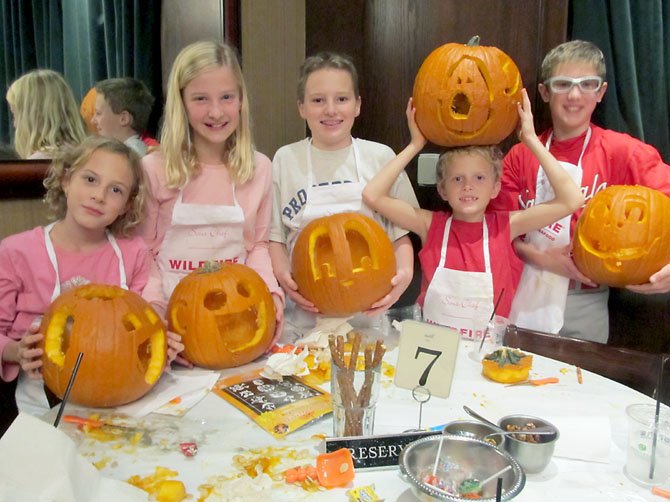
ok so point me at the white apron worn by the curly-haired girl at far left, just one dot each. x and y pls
(30, 395)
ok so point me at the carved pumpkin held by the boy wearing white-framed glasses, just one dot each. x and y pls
(623, 236)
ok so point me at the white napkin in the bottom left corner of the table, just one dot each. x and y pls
(39, 462)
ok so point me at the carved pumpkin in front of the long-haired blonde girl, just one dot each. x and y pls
(224, 313)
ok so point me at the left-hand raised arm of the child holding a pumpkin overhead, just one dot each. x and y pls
(376, 193)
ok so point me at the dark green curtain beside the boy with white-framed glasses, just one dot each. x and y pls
(634, 35)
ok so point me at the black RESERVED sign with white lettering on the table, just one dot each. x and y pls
(376, 452)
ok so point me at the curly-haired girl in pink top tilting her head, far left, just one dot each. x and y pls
(97, 195)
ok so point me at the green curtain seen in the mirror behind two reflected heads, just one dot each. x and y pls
(85, 40)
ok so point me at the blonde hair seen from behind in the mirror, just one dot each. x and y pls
(45, 113)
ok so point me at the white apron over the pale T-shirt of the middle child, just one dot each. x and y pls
(324, 201)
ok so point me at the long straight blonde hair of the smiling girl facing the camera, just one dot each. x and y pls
(180, 157)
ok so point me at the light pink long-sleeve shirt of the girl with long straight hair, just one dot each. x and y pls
(211, 186)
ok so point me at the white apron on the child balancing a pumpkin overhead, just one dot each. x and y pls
(459, 299)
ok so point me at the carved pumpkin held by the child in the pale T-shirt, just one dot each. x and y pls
(343, 263)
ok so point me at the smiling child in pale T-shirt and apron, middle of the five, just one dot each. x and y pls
(325, 174)
